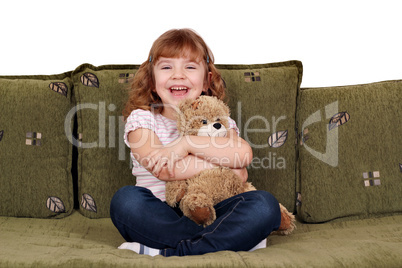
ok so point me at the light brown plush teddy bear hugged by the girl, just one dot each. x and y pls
(196, 196)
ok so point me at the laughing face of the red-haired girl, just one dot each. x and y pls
(177, 79)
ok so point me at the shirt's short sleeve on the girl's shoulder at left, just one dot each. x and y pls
(139, 119)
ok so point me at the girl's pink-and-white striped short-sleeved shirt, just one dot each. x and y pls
(167, 132)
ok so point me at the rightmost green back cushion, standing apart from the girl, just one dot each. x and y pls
(350, 151)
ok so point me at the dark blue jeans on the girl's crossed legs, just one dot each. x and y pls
(242, 222)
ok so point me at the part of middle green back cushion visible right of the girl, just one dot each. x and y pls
(263, 99)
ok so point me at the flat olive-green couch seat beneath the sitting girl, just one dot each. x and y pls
(77, 241)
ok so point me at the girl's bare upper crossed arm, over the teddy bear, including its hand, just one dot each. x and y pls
(231, 151)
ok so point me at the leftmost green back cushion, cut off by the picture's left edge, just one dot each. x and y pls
(36, 155)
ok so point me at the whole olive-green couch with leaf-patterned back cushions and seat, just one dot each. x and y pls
(333, 156)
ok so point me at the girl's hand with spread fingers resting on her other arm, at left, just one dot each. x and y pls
(166, 156)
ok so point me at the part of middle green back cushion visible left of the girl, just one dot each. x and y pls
(104, 163)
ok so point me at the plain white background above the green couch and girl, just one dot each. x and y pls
(338, 42)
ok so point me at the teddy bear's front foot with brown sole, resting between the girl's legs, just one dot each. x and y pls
(199, 208)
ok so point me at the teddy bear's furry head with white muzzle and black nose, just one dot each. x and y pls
(205, 116)
